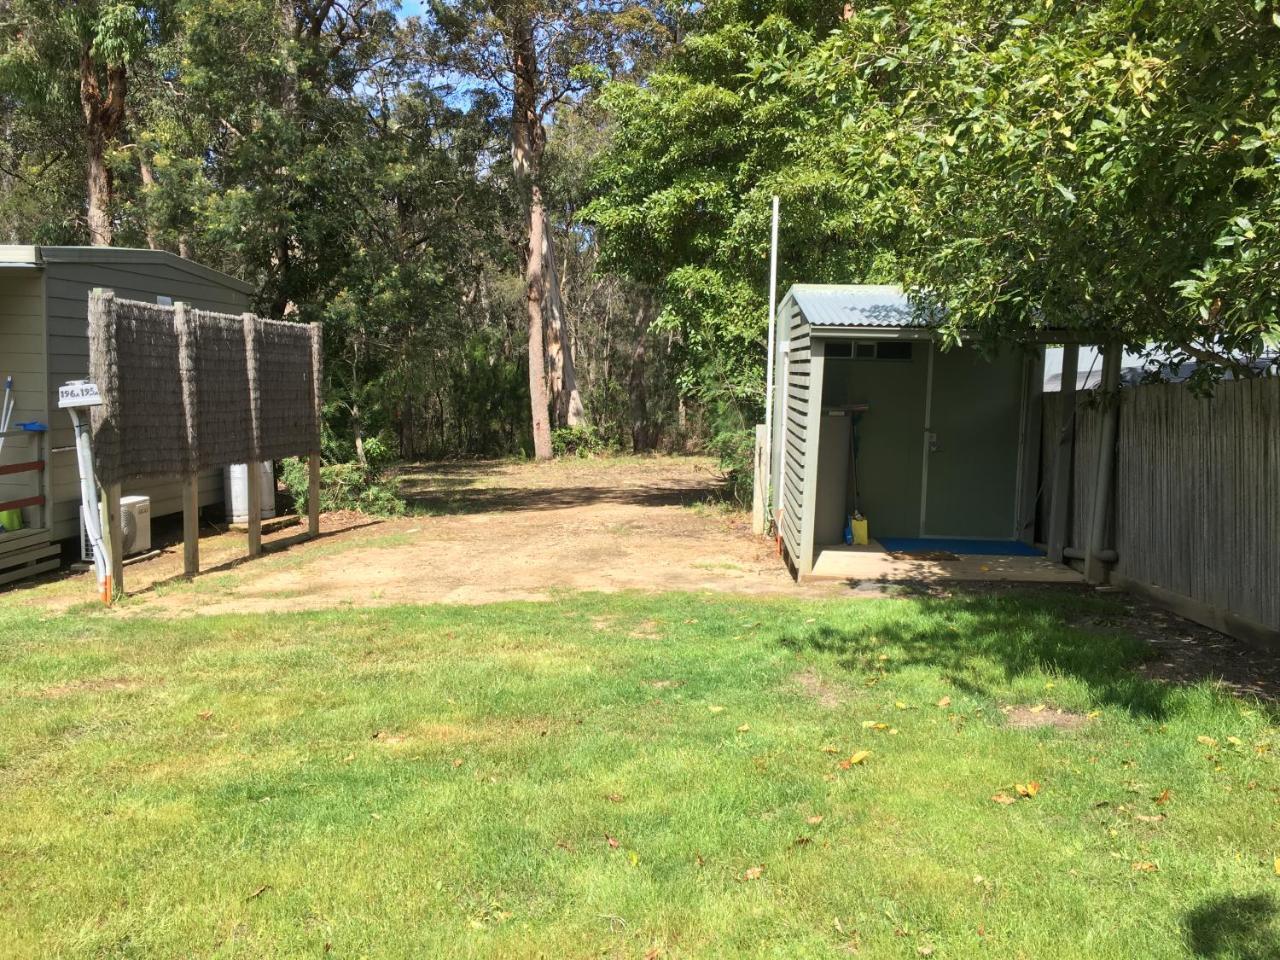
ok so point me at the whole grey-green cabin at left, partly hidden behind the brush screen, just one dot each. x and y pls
(44, 344)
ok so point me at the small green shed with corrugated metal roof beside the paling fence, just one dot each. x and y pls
(871, 413)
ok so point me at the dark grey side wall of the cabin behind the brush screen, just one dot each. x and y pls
(67, 287)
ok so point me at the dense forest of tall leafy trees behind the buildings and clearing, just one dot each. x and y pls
(528, 223)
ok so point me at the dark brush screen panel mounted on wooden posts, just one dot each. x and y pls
(189, 390)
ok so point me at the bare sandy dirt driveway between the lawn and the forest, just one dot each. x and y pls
(479, 533)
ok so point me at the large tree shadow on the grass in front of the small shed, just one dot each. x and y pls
(985, 643)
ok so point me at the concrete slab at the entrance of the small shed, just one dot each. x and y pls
(874, 564)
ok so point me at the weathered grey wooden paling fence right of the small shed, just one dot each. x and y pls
(1197, 502)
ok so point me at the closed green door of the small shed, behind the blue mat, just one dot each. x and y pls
(972, 441)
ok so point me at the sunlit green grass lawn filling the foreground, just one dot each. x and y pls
(629, 776)
